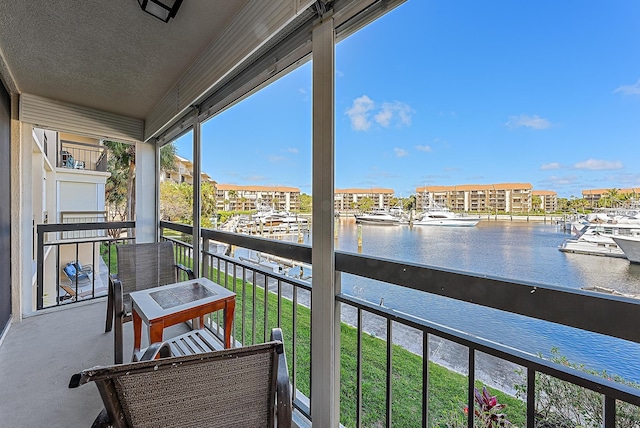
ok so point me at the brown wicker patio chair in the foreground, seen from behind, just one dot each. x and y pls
(241, 387)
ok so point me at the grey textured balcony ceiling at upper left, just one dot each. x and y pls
(109, 54)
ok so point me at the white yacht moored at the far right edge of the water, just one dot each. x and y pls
(598, 238)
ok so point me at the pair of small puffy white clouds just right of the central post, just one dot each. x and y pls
(362, 114)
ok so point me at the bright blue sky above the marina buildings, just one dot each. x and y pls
(456, 92)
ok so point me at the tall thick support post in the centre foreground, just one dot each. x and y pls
(325, 314)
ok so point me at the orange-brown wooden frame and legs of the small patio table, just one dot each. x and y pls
(145, 308)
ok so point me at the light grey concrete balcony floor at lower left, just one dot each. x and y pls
(38, 357)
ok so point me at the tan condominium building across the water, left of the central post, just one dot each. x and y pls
(232, 197)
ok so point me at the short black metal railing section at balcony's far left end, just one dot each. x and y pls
(91, 252)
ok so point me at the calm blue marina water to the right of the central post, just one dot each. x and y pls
(514, 250)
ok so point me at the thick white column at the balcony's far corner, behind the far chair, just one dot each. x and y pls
(146, 190)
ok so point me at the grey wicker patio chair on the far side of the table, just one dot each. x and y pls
(140, 266)
